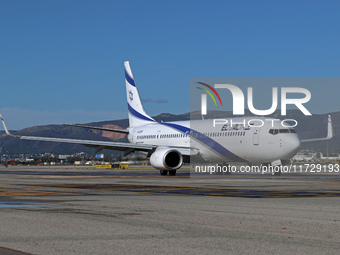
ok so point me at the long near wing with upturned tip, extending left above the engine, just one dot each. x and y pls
(100, 145)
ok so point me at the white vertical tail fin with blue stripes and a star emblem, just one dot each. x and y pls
(137, 115)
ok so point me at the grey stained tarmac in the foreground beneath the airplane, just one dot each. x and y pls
(83, 210)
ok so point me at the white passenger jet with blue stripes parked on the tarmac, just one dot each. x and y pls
(169, 144)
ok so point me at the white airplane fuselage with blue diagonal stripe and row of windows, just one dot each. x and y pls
(223, 142)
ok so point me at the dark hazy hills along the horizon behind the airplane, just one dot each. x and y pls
(309, 127)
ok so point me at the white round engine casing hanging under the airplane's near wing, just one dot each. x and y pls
(166, 159)
